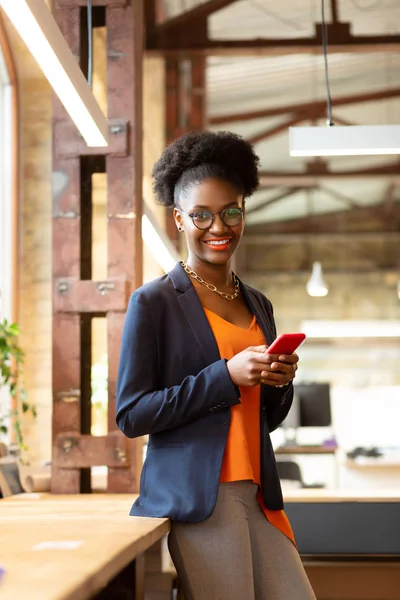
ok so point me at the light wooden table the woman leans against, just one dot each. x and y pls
(71, 547)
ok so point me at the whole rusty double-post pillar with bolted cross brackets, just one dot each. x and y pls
(77, 298)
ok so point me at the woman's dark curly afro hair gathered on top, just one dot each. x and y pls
(195, 157)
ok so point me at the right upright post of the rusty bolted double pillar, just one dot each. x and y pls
(125, 34)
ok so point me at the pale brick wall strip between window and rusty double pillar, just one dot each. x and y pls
(35, 257)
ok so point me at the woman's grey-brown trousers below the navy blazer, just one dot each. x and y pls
(237, 554)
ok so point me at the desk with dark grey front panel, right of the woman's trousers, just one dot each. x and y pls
(349, 542)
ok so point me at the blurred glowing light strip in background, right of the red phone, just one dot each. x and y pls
(351, 329)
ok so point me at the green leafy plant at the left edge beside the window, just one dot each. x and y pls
(11, 361)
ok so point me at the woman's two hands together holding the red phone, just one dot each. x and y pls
(254, 366)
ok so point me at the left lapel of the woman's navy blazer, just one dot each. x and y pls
(194, 314)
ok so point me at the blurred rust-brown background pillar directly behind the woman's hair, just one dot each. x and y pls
(185, 105)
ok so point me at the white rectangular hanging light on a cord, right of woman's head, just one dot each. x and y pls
(344, 141)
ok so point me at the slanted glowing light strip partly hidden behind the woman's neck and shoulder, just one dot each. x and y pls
(158, 242)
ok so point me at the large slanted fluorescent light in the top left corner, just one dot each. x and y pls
(40, 32)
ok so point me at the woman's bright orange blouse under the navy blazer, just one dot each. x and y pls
(242, 458)
